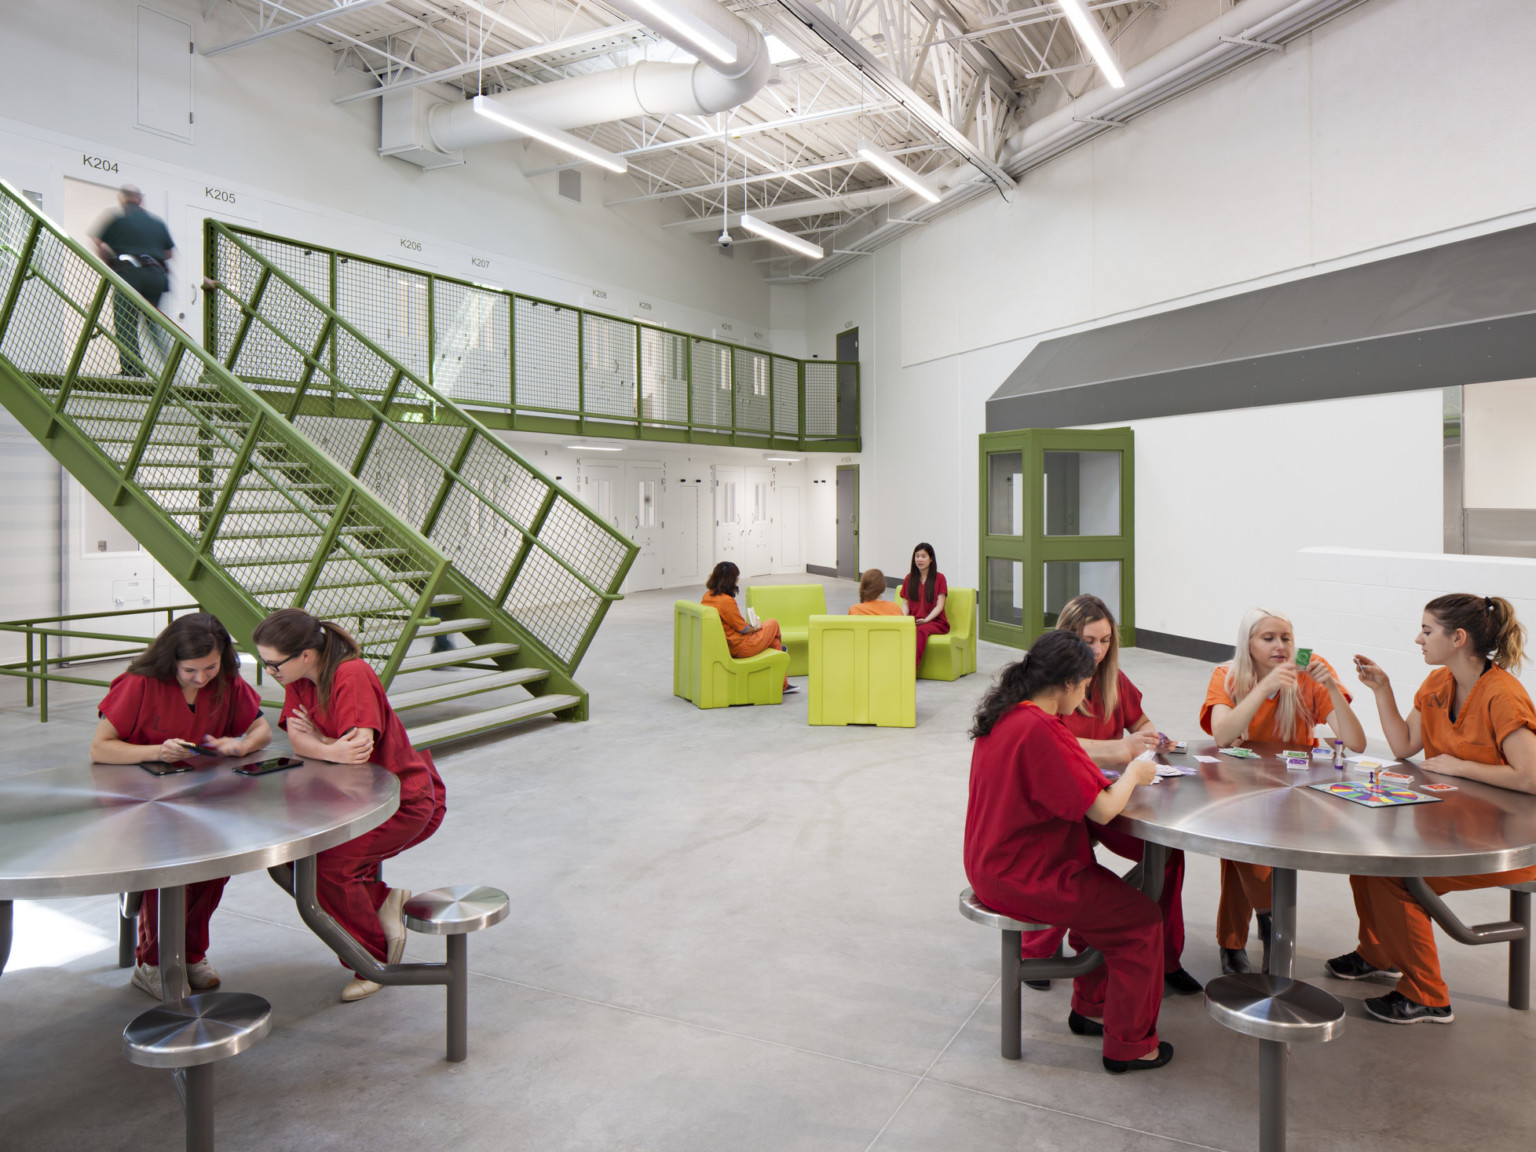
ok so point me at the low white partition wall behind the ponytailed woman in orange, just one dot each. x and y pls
(1352, 601)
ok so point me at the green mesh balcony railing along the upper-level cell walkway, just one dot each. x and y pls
(551, 368)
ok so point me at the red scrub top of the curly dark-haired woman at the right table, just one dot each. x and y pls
(1031, 789)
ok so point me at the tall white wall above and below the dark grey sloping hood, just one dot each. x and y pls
(1331, 154)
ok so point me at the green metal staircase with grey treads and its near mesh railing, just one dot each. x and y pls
(247, 511)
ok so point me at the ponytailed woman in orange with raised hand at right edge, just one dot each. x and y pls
(1474, 720)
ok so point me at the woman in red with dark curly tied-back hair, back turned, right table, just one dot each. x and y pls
(1028, 852)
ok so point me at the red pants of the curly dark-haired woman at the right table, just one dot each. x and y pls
(1102, 912)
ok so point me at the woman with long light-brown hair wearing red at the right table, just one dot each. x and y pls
(1101, 723)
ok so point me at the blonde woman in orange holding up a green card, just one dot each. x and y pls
(1263, 697)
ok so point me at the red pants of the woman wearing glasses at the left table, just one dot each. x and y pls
(348, 878)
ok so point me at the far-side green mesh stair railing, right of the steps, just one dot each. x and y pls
(525, 543)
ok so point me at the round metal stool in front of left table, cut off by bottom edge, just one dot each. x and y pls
(191, 1036)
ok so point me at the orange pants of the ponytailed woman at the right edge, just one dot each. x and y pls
(1395, 932)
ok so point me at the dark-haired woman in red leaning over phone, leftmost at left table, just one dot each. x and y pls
(182, 692)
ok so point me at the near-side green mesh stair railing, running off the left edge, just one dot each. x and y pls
(243, 509)
